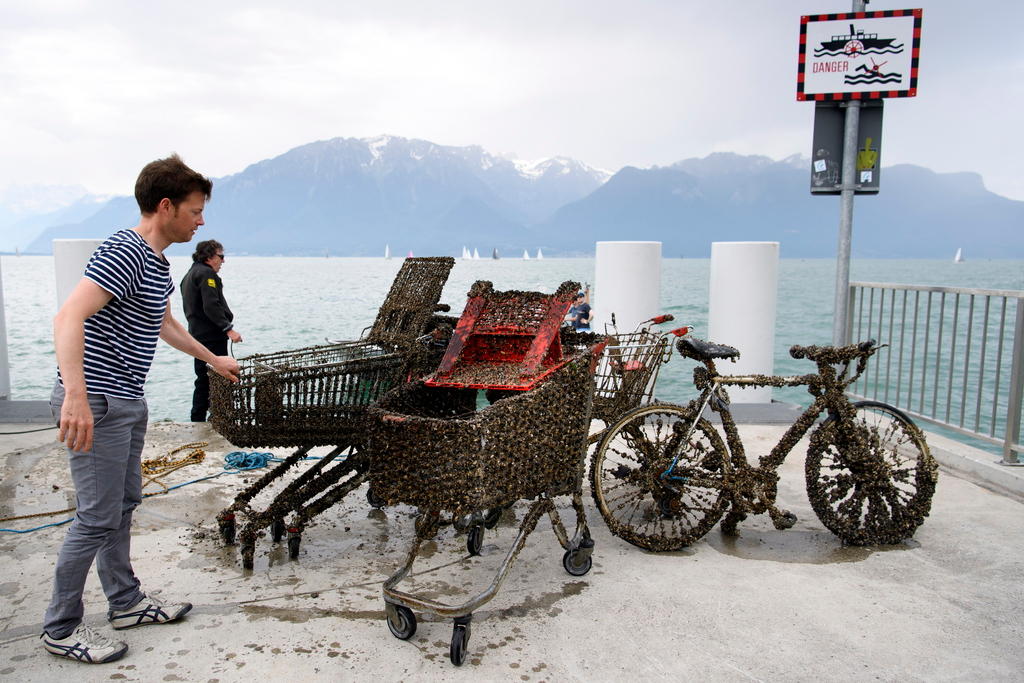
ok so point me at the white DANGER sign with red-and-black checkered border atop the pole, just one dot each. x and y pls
(860, 56)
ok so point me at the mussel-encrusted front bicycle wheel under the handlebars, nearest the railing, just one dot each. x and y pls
(871, 482)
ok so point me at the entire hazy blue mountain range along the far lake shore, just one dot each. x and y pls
(351, 197)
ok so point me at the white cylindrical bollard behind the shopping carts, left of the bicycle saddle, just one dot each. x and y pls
(627, 283)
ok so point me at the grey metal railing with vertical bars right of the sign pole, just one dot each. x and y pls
(955, 357)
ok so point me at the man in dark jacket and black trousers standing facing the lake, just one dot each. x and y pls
(208, 316)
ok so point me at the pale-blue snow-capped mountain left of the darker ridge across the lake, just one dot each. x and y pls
(351, 196)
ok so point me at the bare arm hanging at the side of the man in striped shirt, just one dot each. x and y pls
(69, 344)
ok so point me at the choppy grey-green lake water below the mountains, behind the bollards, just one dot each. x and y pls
(284, 304)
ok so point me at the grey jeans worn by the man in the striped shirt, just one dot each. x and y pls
(108, 487)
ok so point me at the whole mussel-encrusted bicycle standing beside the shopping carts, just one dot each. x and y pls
(662, 476)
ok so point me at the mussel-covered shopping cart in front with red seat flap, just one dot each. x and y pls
(435, 450)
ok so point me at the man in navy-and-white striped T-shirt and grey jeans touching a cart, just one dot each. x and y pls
(106, 336)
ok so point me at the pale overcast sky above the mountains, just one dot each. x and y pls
(93, 91)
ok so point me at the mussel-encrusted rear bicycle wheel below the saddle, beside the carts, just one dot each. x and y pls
(641, 501)
